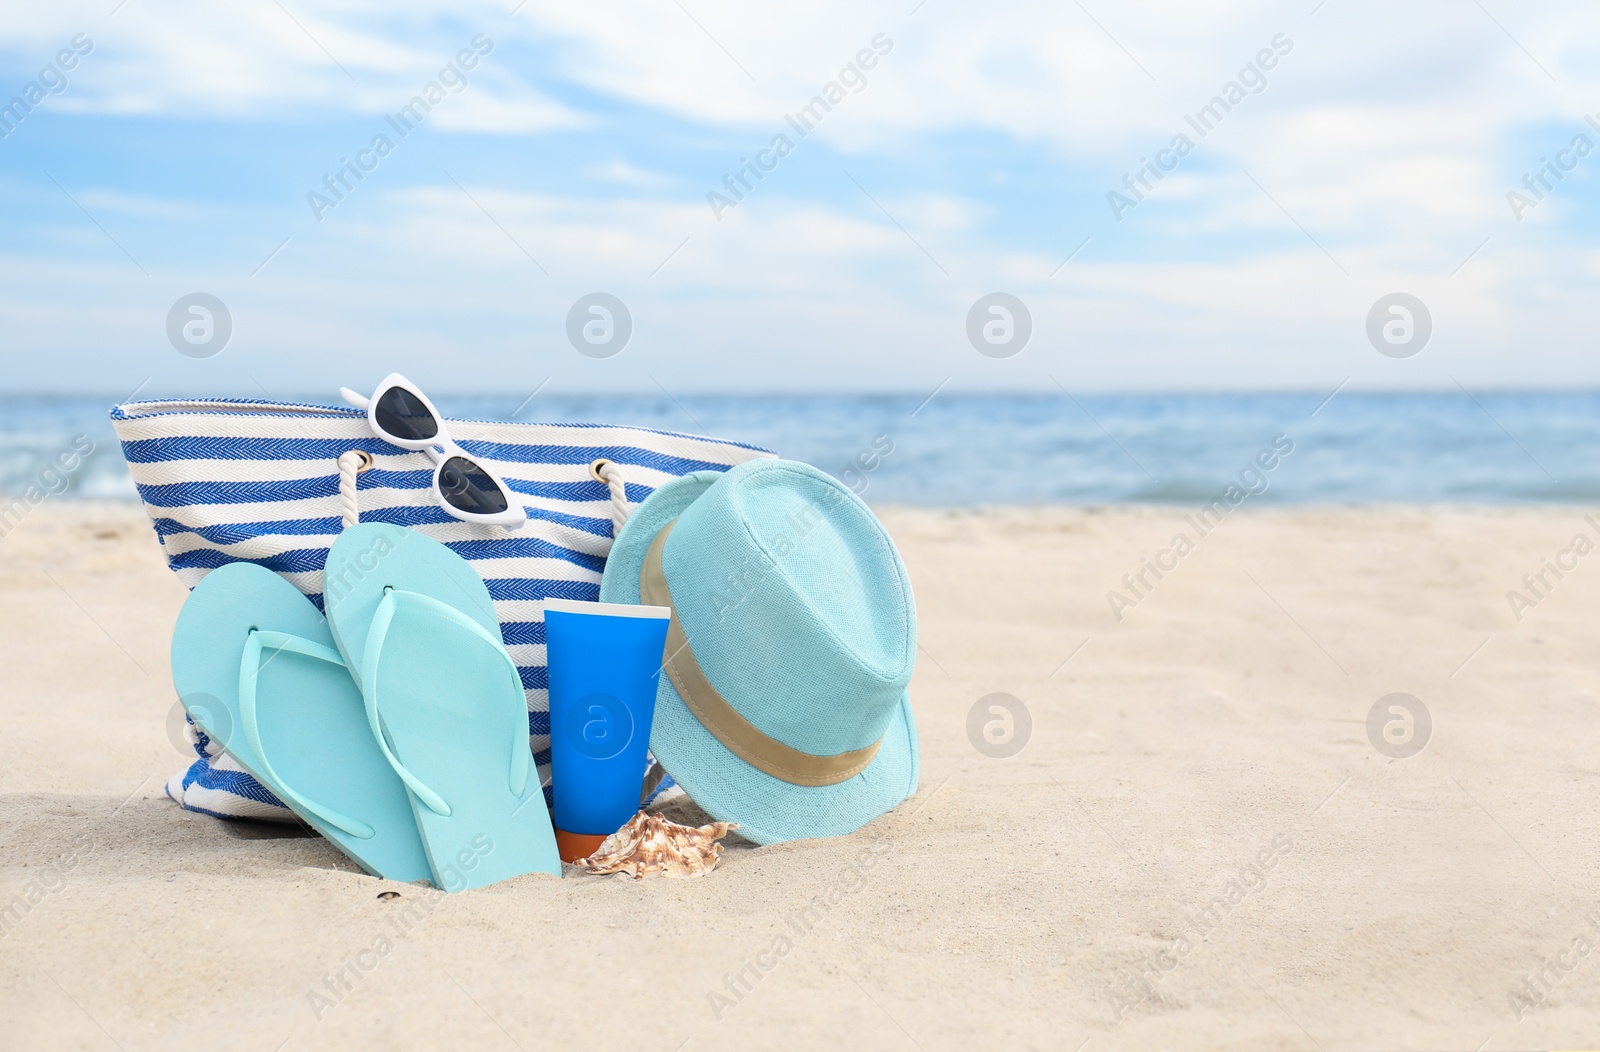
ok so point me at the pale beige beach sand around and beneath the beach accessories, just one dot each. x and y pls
(1198, 848)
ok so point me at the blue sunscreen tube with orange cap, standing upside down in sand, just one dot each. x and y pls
(606, 666)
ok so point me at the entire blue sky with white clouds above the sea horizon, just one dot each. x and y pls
(966, 151)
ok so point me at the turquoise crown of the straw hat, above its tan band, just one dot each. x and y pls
(796, 605)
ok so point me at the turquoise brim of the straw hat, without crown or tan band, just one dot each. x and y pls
(767, 810)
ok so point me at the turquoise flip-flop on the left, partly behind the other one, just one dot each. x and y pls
(255, 664)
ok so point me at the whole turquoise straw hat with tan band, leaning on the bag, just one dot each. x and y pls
(783, 696)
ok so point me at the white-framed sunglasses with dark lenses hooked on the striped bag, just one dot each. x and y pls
(402, 416)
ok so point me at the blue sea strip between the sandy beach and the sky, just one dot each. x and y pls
(962, 450)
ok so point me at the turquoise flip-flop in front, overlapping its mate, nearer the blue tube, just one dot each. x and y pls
(444, 701)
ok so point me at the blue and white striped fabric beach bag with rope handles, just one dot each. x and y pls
(268, 482)
